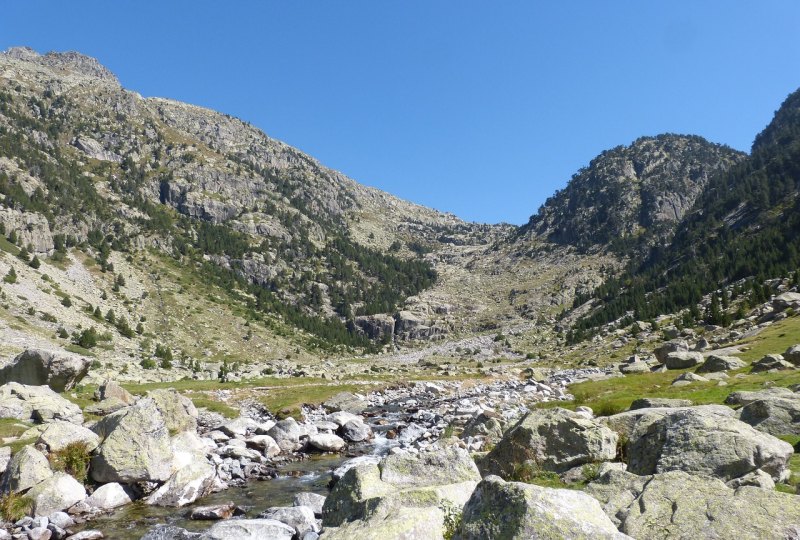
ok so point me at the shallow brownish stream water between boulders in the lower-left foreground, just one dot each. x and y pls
(133, 521)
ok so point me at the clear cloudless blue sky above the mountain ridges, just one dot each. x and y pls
(482, 109)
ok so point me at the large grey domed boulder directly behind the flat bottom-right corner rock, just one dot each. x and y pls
(700, 441)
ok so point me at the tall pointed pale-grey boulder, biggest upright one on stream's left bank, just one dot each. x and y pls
(135, 446)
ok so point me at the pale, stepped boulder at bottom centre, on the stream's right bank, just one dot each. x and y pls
(371, 491)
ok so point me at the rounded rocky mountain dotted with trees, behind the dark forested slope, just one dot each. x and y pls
(631, 197)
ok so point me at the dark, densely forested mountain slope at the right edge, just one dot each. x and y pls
(745, 226)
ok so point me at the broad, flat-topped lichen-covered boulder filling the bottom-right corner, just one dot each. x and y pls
(678, 505)
